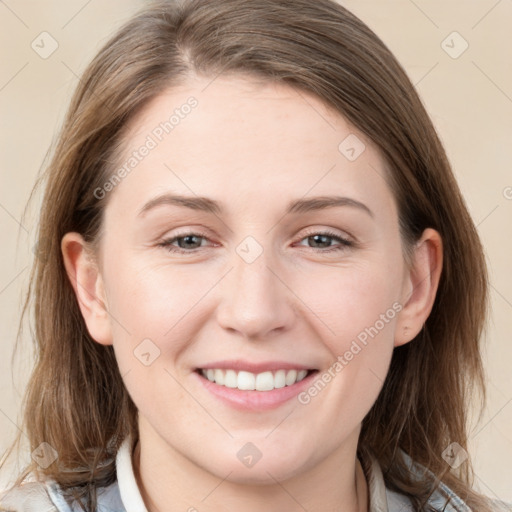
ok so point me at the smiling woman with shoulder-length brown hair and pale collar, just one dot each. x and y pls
(254, 369)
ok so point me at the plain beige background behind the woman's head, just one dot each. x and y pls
(469, 99)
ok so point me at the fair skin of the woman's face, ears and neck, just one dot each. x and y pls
(253, 147)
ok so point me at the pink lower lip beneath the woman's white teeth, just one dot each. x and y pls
(255, 400)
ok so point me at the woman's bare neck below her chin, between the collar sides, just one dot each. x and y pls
(169, 482)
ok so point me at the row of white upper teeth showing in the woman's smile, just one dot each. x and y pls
(266, 381)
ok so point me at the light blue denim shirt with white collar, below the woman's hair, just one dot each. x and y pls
(124, 495)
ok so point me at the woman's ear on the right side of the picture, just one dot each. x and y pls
(421, 281)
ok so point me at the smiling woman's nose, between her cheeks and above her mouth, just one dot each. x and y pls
(256, 302)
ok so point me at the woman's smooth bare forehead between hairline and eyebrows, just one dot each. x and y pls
(233, 137)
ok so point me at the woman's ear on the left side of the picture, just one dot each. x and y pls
(87, 283)
